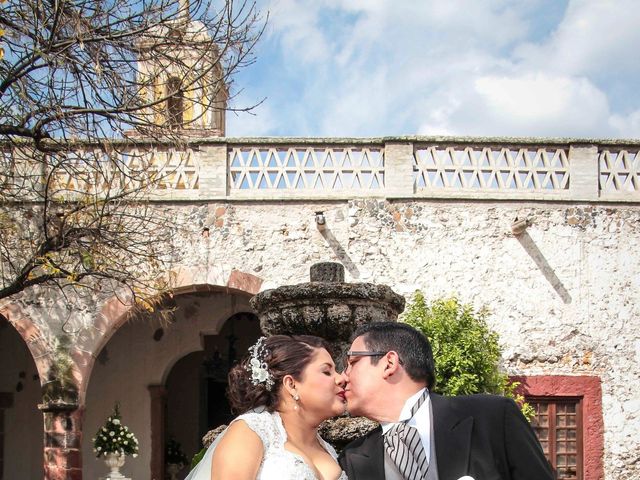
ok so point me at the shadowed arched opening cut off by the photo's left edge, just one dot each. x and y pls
(21, 422)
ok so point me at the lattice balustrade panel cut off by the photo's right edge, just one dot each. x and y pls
(619, 171)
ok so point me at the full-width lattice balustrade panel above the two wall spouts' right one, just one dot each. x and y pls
(494, 169)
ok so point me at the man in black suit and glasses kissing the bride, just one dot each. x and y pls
(389, 372)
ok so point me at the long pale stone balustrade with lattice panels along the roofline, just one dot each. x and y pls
(405, 167)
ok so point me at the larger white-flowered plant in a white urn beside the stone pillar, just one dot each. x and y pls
(114, 441)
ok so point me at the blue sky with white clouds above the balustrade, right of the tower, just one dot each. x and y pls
(374, 68)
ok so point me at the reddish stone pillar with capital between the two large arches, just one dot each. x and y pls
(62, 441)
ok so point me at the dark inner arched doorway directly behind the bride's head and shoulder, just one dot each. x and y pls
(196, 386)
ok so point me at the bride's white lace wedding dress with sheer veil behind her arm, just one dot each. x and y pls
(277, 462)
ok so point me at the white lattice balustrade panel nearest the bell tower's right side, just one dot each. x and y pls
(306, 168)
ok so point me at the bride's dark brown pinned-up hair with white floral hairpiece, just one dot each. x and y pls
(284, 355)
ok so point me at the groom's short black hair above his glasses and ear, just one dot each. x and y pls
(412, 347)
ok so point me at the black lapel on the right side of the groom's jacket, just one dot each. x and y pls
(452, 431)
